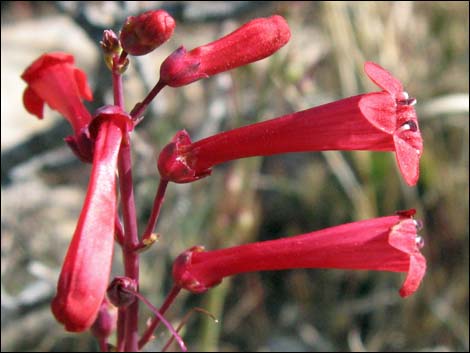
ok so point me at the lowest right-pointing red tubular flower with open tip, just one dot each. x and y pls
(380, 244)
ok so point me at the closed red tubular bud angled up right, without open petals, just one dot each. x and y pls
(251, 42)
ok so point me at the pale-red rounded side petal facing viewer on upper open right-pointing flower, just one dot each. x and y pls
(380, 110)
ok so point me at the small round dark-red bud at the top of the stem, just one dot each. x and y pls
(142, 34)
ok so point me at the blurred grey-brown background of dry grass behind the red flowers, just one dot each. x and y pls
(424, 44)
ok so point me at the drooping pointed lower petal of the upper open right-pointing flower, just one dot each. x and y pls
(408, 153)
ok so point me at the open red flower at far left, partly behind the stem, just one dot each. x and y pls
(54, 79)
